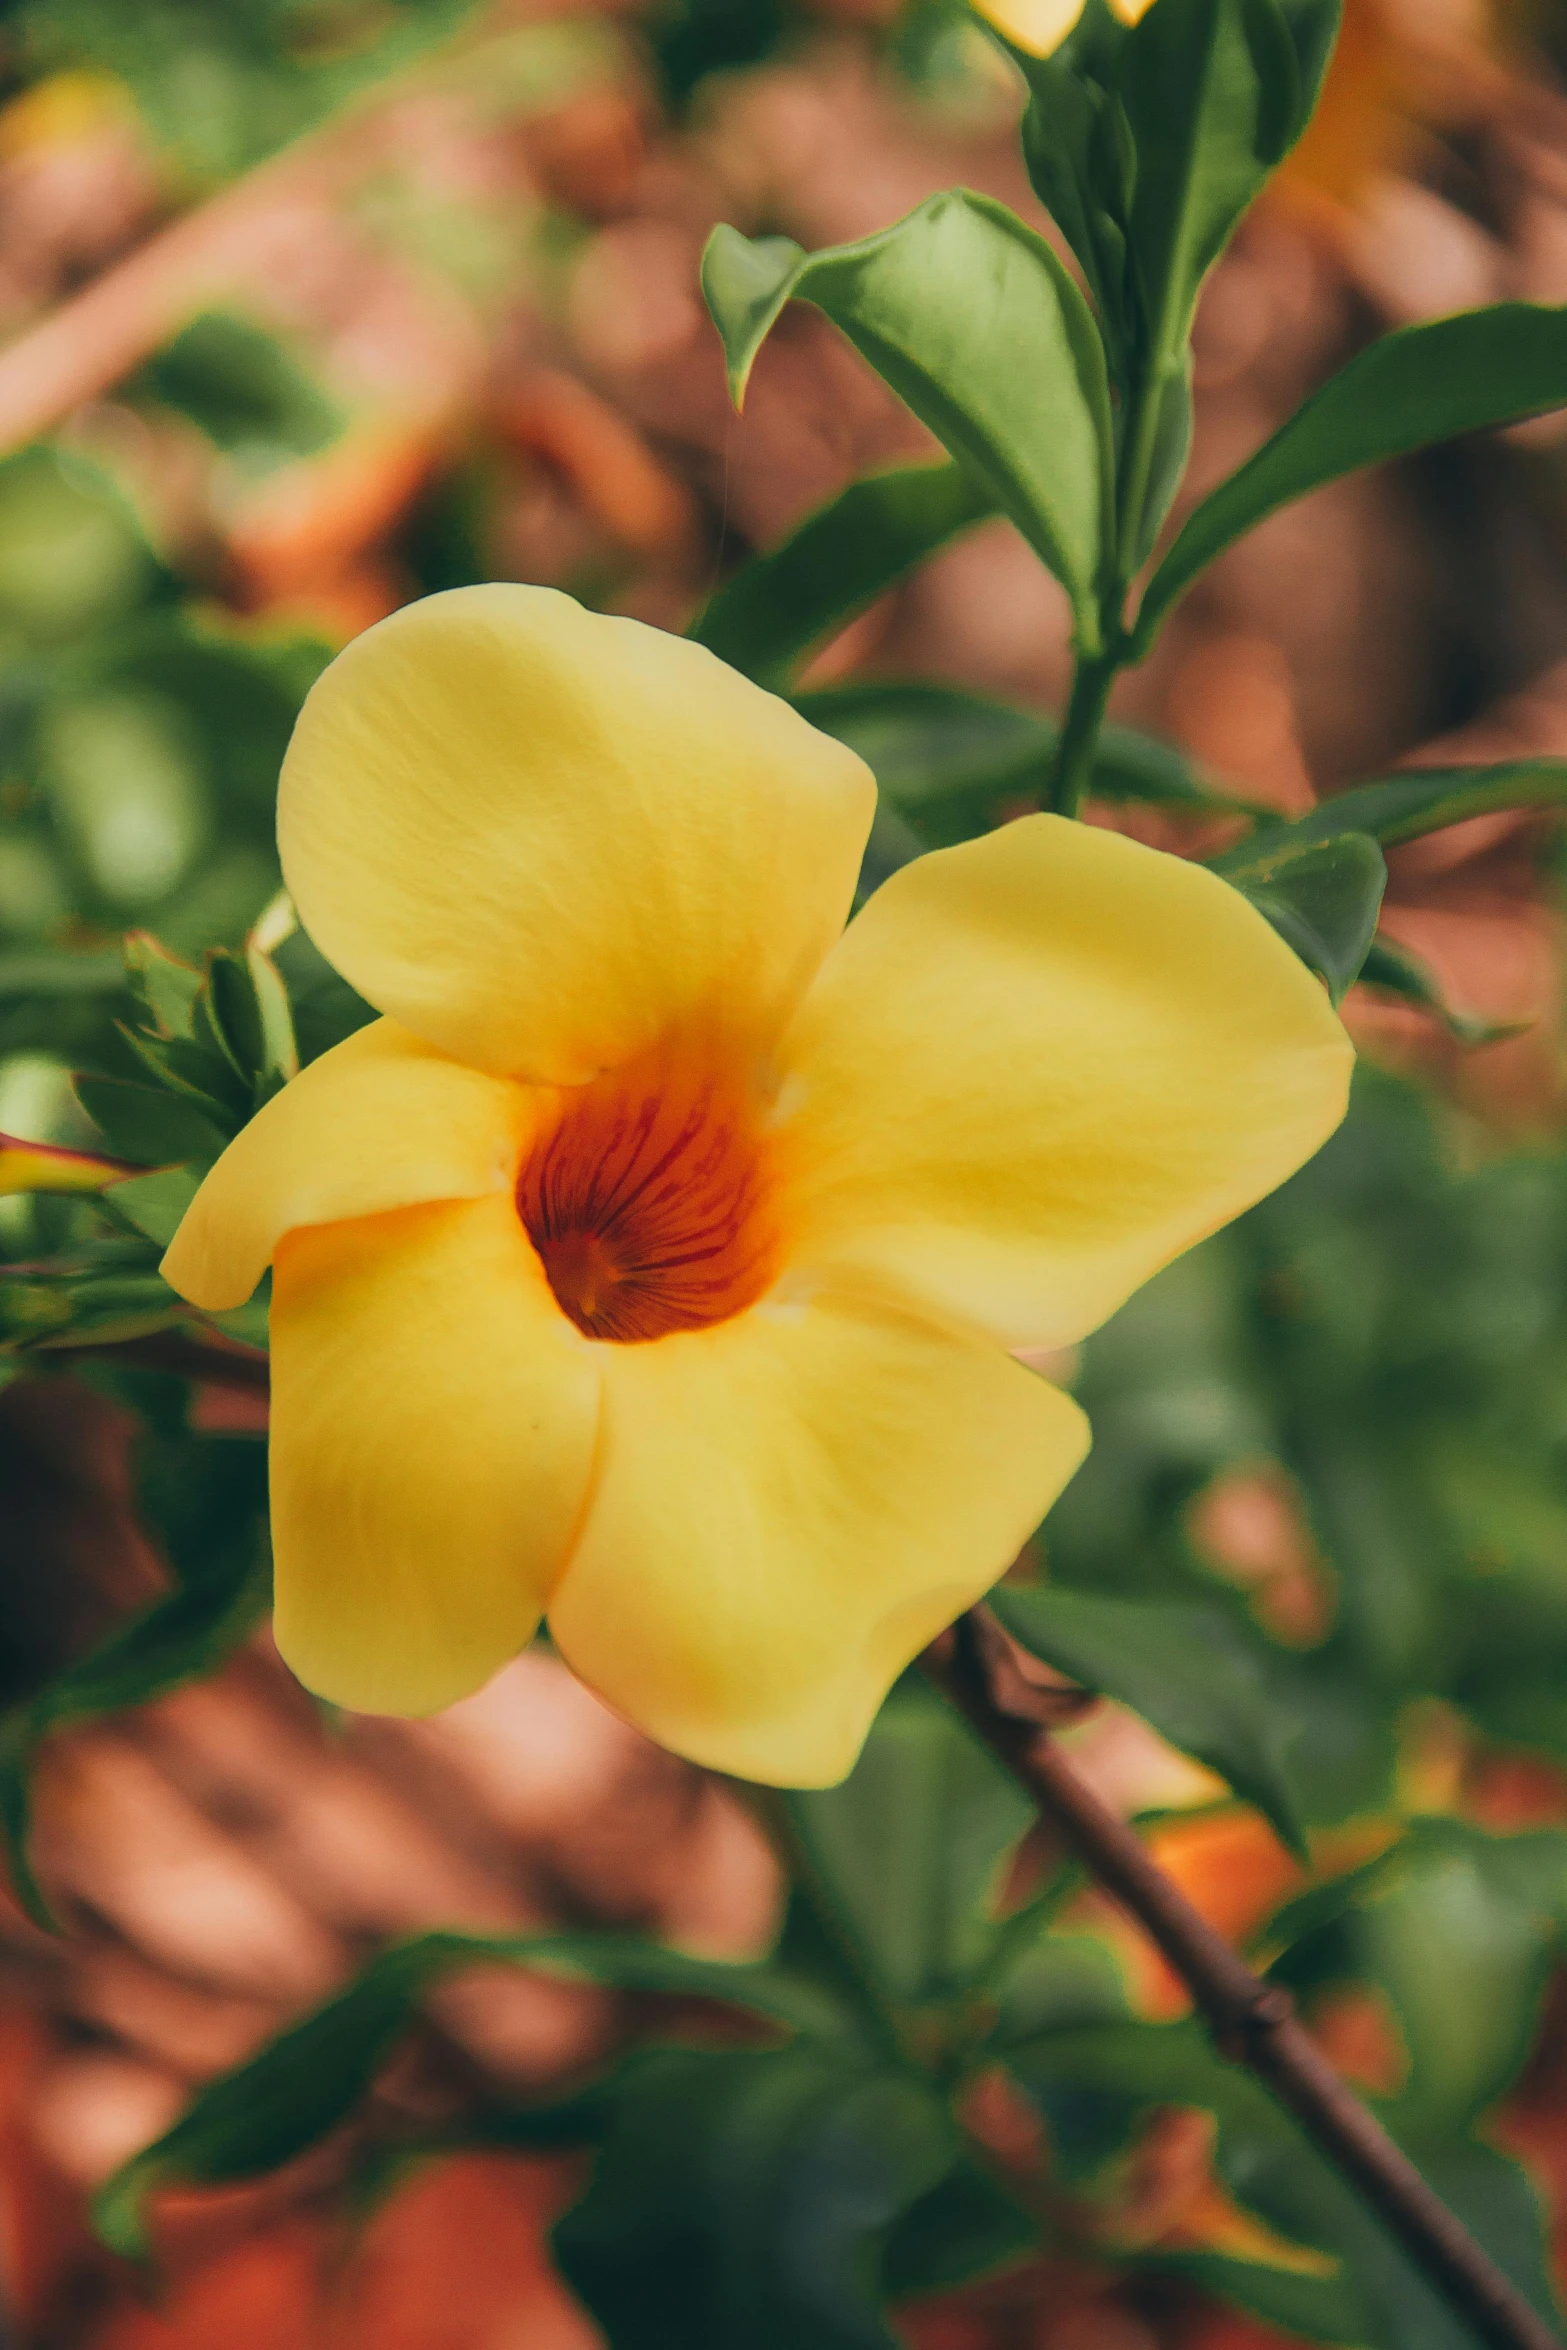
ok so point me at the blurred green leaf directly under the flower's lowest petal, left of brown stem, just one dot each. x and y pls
(908, 1851)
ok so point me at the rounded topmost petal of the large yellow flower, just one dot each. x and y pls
(542, 838)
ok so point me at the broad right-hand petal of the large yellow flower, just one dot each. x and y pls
(1042, 1066)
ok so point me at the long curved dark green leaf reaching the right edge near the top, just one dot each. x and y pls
(1408, 391)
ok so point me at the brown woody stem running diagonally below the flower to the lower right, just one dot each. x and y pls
(1251, 2022)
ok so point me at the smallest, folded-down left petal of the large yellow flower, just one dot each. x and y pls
(379, 1122)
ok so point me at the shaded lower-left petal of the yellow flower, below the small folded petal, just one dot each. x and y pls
(433, 1432)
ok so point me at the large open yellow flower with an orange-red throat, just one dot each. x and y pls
(654, 1263)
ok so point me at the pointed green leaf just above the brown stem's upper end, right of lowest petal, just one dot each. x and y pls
(1188, 1670)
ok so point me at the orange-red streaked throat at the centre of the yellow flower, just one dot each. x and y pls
(650, 1202)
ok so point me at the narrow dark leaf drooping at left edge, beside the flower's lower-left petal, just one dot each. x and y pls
(180, 1639)
